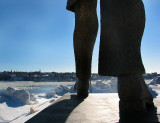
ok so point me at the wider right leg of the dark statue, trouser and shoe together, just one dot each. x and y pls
(123, 23)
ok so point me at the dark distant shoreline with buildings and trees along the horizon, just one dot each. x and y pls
(39, 76)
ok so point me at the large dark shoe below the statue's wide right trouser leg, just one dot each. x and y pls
(134, 94)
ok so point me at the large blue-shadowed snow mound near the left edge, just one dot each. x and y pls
(22, 96)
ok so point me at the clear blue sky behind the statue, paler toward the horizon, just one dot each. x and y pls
(38, 35)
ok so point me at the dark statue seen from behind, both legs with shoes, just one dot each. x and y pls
(122, 27)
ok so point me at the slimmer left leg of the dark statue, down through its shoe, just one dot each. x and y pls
(86, 27)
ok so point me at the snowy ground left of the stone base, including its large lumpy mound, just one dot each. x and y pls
(16, 105)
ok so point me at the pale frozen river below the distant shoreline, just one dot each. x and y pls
(38, 87)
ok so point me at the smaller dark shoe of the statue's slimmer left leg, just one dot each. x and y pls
(82, 88)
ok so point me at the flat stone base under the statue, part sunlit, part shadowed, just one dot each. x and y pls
(97, 108)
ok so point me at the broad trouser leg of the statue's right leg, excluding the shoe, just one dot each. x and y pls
(122, 26)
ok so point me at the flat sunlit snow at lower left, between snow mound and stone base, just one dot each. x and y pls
(17, 113)
